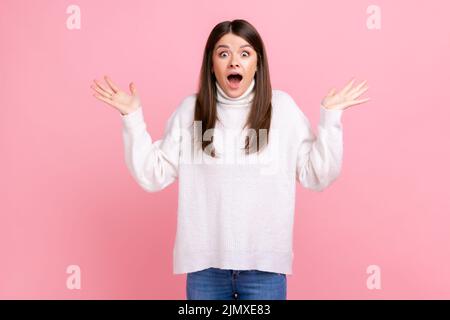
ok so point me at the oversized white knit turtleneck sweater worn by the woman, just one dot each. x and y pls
(236, 211)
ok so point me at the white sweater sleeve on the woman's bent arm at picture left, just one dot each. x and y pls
(152, 164)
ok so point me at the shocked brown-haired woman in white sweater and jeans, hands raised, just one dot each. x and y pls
(235, 205)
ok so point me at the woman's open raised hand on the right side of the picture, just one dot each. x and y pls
(345, 98)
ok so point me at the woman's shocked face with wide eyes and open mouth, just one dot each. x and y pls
(231, 55)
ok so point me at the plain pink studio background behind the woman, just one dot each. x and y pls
(67, 197)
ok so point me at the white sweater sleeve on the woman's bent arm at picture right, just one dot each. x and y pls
(319, 158)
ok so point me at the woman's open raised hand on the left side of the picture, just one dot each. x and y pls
(117, 98)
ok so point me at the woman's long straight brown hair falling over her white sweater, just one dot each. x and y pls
(261, 110)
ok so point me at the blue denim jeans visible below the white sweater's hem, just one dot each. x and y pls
(227, 284)
